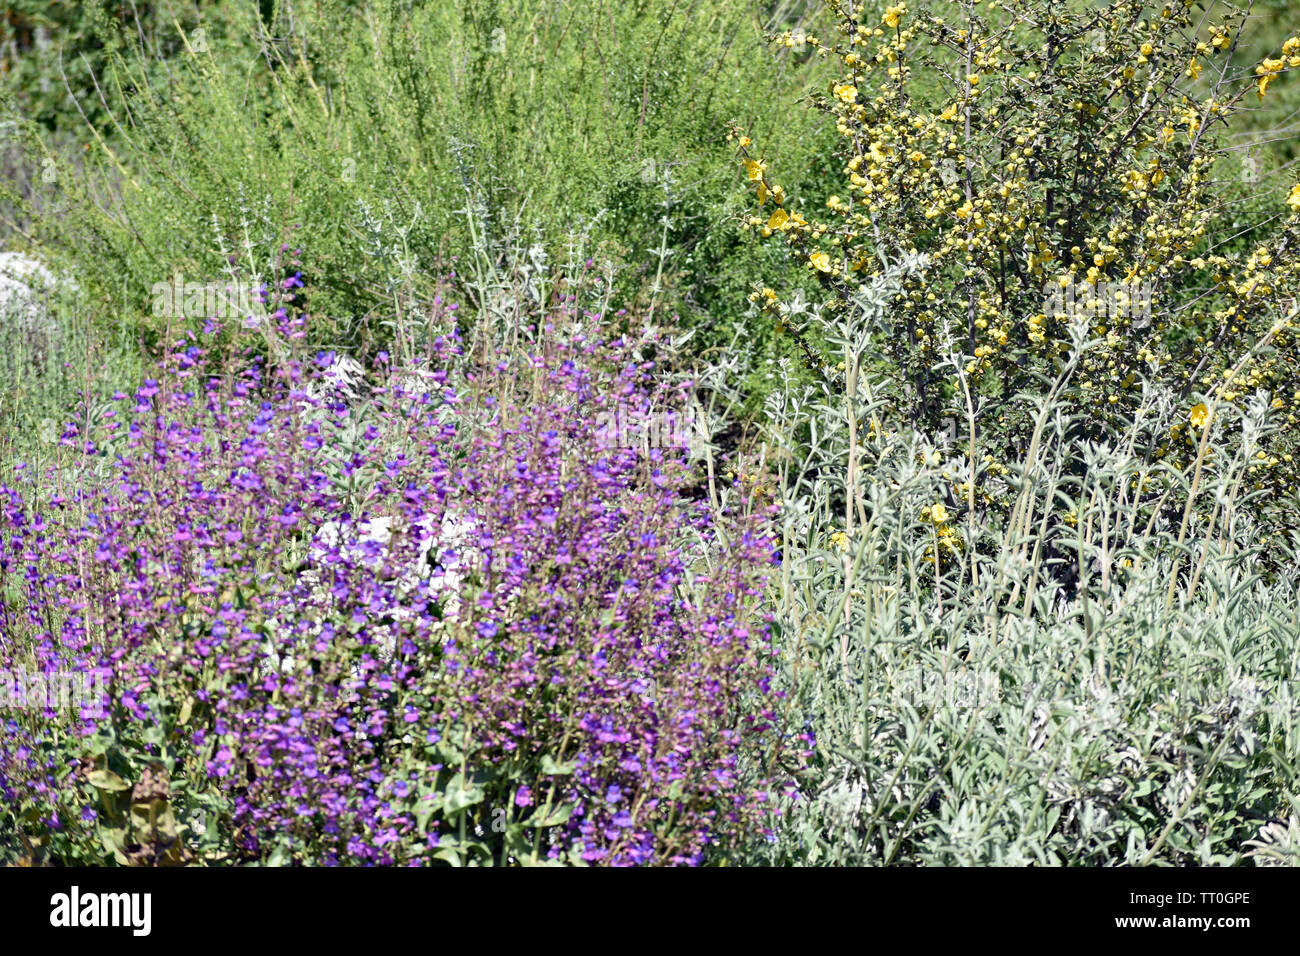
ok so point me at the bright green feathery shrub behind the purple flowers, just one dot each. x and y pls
(396, 145)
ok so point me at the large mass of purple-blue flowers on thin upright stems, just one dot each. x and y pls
(597, 673)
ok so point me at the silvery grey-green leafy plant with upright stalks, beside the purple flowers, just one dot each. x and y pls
(1095, 672)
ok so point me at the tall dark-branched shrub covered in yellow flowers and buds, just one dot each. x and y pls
(1061, 168)
